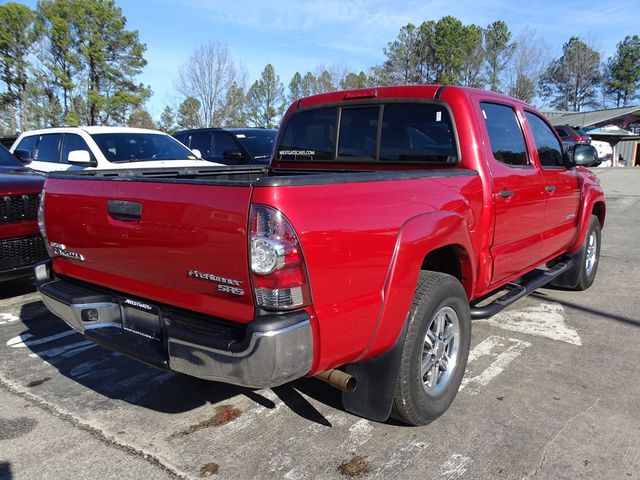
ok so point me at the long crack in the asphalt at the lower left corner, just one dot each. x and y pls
(15, 389)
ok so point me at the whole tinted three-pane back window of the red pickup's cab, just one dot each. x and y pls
(393, 132)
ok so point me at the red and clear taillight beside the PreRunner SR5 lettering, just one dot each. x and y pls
(278, 270)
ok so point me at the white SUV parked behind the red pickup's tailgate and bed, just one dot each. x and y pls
(78, 148)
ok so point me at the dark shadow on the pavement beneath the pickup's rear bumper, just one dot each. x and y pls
(117, 377)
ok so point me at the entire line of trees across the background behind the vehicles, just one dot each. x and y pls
(75, 62)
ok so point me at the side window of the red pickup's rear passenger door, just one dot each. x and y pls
(505, 134)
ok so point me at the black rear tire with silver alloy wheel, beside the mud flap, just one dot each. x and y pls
(414, 403)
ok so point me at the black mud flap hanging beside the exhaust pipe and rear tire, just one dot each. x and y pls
(377, 380)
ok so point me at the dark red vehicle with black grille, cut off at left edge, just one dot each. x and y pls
(21, 245)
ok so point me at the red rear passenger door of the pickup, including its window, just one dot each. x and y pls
(518, 192)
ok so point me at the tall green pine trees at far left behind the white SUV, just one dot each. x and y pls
(68, 62)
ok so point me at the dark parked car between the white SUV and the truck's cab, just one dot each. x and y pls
(231, 146)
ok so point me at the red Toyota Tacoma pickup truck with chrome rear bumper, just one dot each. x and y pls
(387, 220)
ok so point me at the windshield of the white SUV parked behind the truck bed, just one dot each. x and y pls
(140, 147)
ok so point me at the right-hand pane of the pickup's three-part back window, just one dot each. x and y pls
(417, 133)
